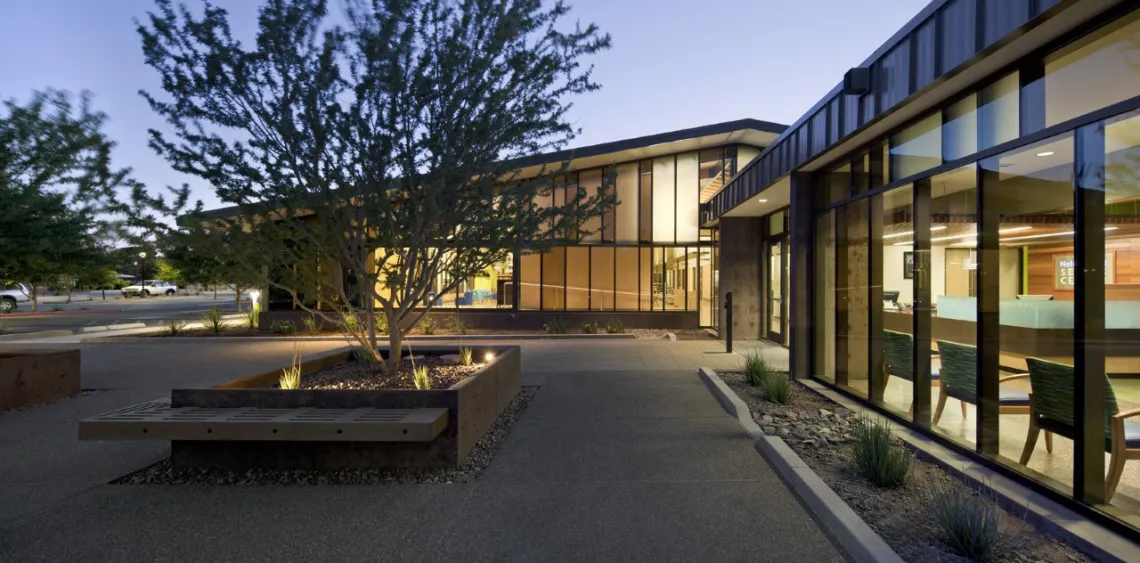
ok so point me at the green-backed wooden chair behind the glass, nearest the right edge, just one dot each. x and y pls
(1053, 411)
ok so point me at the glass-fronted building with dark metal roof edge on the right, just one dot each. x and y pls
(952, 236)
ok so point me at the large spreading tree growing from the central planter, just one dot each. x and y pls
(376, 158)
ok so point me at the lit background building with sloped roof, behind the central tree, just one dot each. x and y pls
(649, 266)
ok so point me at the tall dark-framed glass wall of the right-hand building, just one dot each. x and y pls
(995, 300)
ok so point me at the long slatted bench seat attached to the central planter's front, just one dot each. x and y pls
(157, 421)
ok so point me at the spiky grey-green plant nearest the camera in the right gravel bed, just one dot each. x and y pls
(968, 518)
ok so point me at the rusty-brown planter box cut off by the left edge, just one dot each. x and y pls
(35, 377)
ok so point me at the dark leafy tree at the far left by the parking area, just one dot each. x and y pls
(59, 193)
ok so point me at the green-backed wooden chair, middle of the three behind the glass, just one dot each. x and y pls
(959, 381)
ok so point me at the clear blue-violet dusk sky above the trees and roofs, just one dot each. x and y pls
(674, 64)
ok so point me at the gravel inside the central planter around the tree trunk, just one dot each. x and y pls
(356, 376)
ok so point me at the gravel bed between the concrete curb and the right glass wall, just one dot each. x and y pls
(819, 431)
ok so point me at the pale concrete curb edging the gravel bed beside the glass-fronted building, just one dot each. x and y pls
(836, 519)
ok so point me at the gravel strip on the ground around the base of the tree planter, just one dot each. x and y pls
(474, 466)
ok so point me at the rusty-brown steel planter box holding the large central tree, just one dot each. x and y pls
(474, 406)
